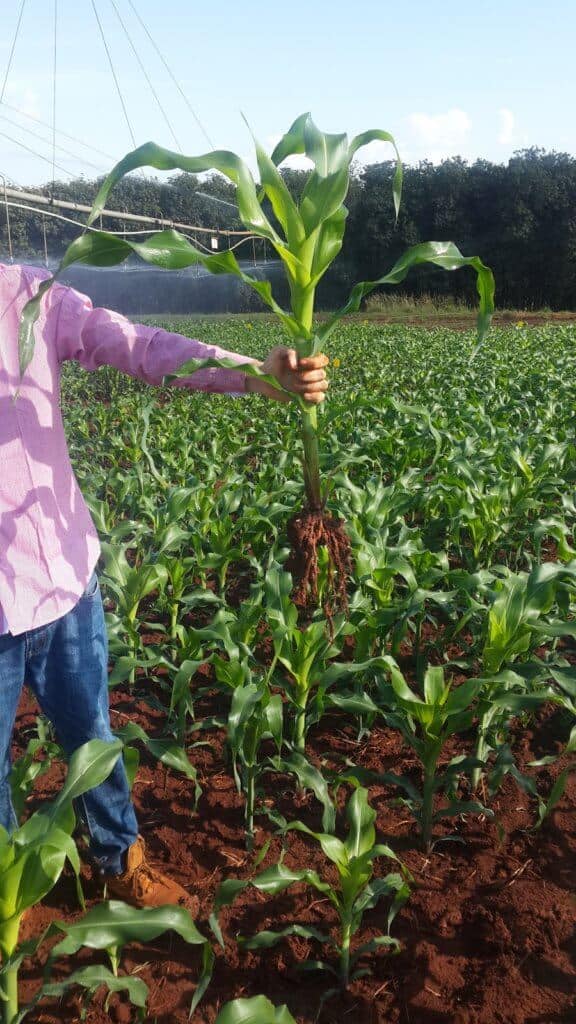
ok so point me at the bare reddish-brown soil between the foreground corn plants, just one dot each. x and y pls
(488, 935)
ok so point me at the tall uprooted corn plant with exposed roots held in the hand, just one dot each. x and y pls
(308, 236)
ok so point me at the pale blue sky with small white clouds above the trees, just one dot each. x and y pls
(480, 79)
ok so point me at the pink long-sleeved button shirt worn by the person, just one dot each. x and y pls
(49, 544)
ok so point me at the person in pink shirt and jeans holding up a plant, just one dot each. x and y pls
(53, 633)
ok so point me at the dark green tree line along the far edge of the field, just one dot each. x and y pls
(519, 218)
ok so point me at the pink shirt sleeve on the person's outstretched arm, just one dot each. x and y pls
(100, 337)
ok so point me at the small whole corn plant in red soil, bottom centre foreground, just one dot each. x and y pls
(356, 892)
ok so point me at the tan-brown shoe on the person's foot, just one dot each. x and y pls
(143, 885)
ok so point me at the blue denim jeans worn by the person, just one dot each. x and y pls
(66, 666)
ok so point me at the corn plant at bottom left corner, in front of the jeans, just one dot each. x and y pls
(32, 860)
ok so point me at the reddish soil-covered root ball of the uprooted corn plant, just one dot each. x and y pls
(309, 531)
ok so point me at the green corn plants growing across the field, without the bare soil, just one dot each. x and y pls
(458, 488)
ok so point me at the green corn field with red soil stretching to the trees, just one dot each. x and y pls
(392, 789)
